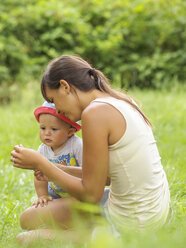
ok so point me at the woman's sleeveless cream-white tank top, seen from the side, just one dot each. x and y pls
(139, 191)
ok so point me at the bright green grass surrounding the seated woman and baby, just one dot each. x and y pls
(167, 112)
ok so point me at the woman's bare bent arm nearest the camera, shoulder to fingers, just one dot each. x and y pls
(95, 131)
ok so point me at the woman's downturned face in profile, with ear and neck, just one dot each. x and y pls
(66, 102)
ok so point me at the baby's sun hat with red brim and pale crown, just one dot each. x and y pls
(49, 108)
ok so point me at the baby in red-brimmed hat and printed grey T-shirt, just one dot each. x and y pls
(59, 145)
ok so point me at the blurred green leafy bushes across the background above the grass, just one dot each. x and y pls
(135, 43)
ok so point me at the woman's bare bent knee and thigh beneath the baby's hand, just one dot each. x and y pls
(57, 213)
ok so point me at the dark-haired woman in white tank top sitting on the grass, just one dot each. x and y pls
(117, 143)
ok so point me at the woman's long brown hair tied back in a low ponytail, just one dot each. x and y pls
(79, 73)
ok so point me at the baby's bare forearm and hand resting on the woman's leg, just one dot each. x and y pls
(42, 193)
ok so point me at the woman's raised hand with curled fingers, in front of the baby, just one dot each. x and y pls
(25, 158)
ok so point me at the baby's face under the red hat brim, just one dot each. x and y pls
(53, 131)
